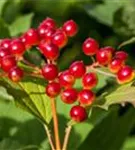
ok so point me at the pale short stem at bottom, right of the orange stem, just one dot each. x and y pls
(66, 138)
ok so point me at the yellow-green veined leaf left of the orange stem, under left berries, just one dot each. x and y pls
(29, 95)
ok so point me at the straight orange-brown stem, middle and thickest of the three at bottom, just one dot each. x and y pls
(55, 123)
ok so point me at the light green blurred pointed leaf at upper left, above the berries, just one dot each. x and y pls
(21, 24)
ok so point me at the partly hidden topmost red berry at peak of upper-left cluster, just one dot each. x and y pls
(49, 22)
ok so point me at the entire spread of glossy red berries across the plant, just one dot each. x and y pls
(49, 39)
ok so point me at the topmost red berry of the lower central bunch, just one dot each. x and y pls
(77, 69)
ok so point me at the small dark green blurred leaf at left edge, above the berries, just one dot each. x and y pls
(4, 32)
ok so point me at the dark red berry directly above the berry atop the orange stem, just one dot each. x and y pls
(50, 71)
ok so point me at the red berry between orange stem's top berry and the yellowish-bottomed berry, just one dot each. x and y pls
(69, 96)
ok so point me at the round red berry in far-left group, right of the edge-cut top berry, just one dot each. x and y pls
(17, 47)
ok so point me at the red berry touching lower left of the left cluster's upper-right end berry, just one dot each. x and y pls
(59, 38)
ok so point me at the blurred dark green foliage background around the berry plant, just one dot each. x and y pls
(108, 21)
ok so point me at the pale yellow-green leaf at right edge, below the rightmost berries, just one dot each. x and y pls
(123, 94)
